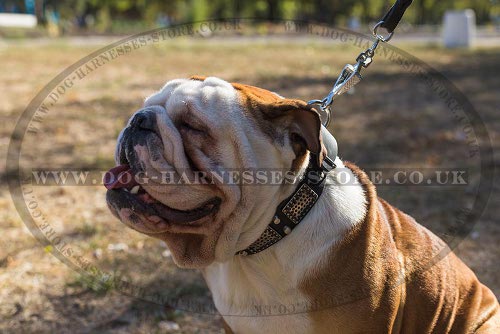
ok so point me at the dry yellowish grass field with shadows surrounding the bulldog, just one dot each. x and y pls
(392, 120)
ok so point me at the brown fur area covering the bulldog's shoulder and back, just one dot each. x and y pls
(392, 275)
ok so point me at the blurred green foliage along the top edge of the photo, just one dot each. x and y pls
(331, 11)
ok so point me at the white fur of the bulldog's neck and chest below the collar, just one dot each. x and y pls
(246, 283)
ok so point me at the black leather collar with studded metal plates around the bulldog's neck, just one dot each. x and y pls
(293, 209)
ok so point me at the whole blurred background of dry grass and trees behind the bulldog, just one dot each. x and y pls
(392, 119)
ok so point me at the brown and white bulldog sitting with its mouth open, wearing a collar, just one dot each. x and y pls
(300, 255)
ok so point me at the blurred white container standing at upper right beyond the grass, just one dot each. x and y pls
(459, 28)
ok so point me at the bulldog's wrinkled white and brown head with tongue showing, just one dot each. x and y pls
(191, 130)
